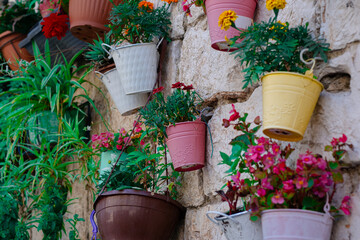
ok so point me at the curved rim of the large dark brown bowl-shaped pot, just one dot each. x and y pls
(139, 193)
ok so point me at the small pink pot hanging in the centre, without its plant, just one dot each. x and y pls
(186, 143)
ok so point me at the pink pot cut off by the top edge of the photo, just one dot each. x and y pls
(244, 9)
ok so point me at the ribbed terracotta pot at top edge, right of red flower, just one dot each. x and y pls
(89, 17)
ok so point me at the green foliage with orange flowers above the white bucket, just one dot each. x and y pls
(129, 22)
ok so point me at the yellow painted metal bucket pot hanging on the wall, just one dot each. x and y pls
(289, 100)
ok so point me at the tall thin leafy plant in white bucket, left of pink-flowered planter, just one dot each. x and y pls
(236, 222)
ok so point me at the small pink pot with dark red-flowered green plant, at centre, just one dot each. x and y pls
(175, 121)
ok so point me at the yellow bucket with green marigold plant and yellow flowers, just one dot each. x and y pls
(273, 51)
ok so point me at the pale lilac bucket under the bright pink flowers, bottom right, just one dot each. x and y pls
(290, 224)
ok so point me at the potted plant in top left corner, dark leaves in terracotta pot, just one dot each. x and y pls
(16, 21)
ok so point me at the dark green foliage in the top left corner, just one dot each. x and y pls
(19, 17)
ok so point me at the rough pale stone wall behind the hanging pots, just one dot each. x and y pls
(218, 79)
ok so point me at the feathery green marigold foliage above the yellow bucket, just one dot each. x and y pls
(274, 46)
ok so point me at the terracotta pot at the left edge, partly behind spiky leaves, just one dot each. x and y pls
(9, 46)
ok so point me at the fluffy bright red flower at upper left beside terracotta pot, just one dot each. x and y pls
(55, 26)
